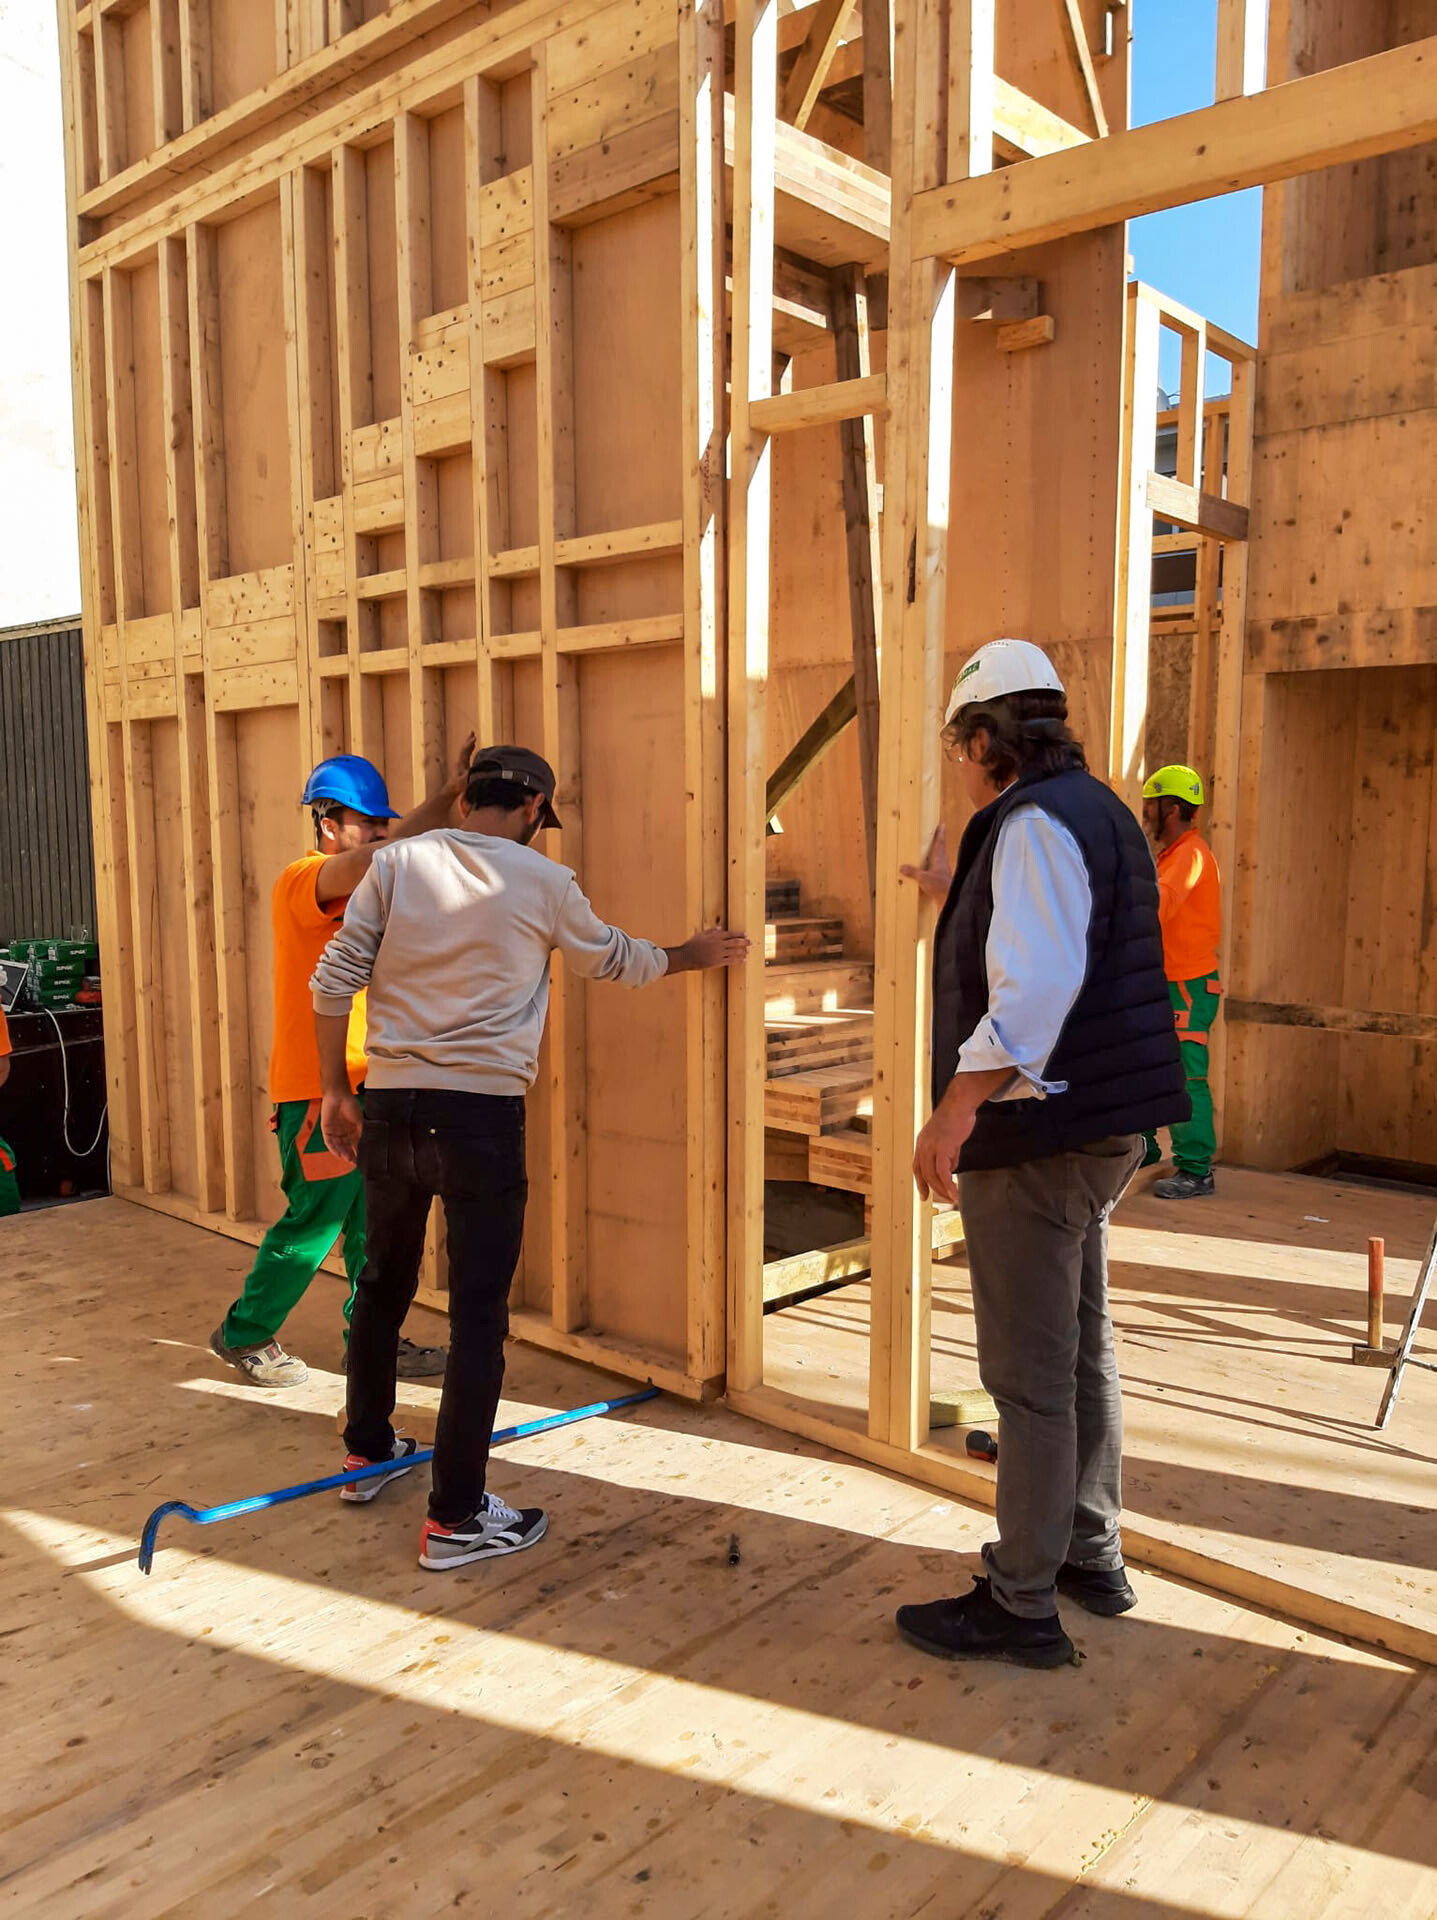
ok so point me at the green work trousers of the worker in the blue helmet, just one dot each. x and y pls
(324, 1199)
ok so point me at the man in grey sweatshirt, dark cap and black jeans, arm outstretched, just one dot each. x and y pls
(451, 934)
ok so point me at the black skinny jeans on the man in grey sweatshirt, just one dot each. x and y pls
(470, 1151)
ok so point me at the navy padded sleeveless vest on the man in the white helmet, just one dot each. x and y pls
(1119, 1049)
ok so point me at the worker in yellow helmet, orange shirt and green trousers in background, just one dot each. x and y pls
(1190, 909)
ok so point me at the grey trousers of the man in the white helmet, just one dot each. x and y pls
(1038, 1259)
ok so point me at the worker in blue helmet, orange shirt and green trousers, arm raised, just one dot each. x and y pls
(324, 1195)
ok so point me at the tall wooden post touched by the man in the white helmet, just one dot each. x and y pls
(921, 347)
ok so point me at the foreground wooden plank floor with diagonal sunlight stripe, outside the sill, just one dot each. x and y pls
(291, 1717)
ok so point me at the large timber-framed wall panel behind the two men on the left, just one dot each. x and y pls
(399, 373)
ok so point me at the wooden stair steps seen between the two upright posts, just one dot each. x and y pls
(819, 1049)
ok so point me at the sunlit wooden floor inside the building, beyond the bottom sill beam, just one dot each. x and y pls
(1250, 1443)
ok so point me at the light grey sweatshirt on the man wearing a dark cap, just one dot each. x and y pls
(452, 936)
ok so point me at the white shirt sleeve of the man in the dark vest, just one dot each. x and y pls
(1036, 953)
